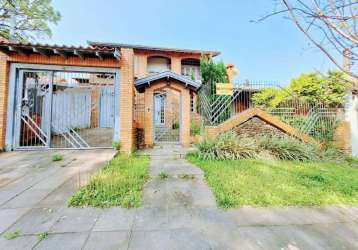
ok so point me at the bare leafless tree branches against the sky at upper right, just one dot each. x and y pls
(330, 25)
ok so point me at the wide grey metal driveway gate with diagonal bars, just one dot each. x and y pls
(64, 109)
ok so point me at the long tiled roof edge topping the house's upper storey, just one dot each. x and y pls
(152, 48)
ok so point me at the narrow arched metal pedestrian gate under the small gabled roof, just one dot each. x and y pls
(167, 116)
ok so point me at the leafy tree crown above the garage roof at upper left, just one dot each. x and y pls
(26, 20)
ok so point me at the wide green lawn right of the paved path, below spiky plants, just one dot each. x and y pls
(280, 183)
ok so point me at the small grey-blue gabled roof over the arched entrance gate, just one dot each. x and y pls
(169, 75)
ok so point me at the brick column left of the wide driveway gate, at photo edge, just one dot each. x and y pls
(4, 87)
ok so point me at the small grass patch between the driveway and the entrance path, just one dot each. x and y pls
(120, 183)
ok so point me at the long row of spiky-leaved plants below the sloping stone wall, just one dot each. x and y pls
(230, 146)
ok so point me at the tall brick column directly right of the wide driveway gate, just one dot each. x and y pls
(126, 100)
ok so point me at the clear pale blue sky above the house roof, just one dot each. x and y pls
(272, 51)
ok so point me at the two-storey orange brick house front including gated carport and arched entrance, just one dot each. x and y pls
(87, 97)
